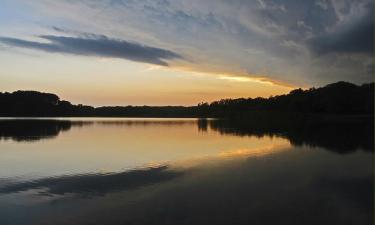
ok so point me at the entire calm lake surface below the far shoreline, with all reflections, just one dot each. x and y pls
(184, 171)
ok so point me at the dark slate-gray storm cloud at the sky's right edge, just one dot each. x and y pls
(355, 37)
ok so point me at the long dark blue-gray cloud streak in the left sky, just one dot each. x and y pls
(97, 45)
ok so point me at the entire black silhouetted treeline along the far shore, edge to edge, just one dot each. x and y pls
(337, 98)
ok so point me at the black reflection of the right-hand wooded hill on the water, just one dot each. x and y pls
(340, 134)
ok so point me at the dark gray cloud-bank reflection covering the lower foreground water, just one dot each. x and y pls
(294, 187)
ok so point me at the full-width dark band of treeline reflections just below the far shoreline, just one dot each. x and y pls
(336, 136)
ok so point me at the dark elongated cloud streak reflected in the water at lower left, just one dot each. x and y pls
(93, 184)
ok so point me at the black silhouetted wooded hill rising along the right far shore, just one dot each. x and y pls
(336, 98)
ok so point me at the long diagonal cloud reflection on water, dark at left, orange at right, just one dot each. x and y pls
(152, 173)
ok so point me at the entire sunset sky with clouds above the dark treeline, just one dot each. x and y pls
(182, 52)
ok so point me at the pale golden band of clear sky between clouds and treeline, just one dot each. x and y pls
(103, 81)
